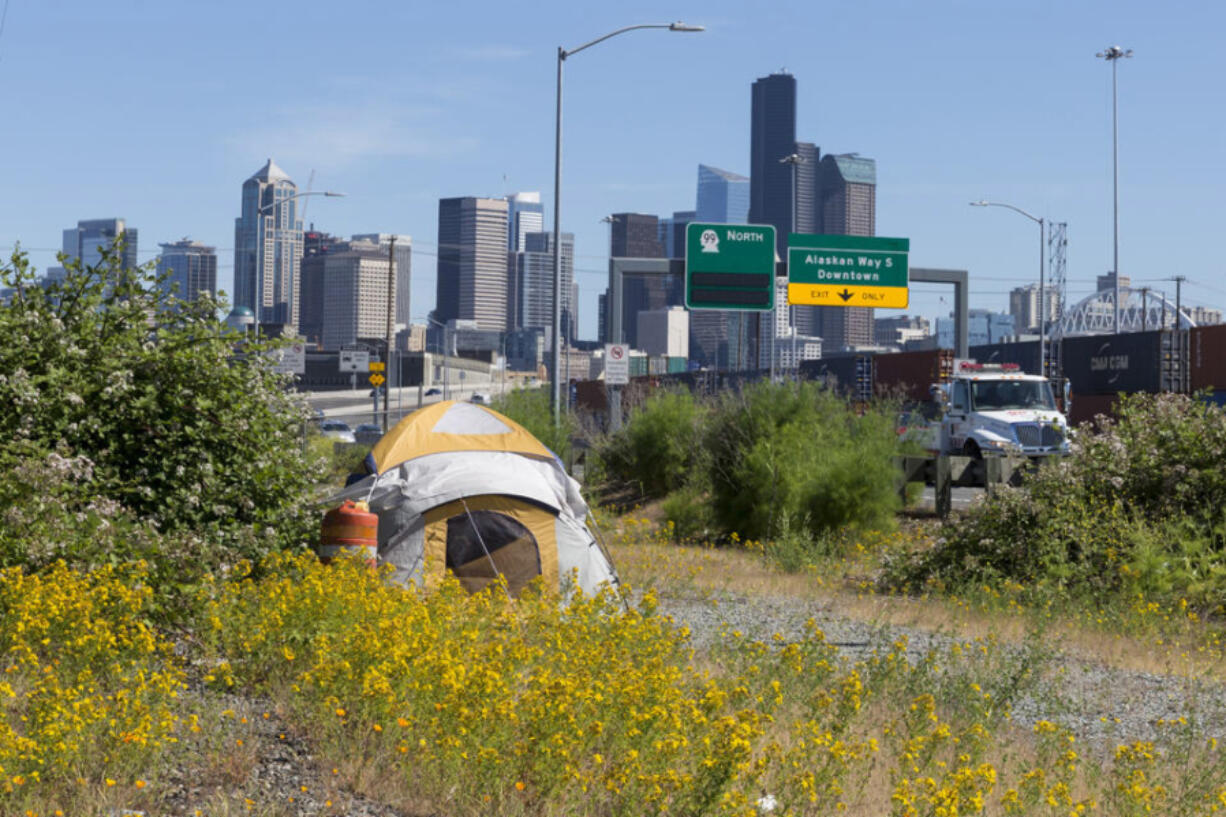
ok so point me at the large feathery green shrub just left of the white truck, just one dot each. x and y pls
(800, 452)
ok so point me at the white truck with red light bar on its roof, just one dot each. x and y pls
(997, 410)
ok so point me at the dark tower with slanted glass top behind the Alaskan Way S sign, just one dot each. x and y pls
(848, 183)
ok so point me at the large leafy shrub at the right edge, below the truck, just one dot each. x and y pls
(1138, 508)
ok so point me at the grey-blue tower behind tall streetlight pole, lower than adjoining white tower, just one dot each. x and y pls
(530, 289)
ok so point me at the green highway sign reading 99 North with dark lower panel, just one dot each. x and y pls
(730, 267)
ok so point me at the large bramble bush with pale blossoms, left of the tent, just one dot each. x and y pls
(171, 418)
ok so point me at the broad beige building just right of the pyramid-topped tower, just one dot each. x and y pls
(355, 294)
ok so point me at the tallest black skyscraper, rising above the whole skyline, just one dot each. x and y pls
(773, 137)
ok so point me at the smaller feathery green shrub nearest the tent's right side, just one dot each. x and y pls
(659, 450)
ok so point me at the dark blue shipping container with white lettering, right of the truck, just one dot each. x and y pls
(1130, 362)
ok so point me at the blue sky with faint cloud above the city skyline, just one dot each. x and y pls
(158, 111)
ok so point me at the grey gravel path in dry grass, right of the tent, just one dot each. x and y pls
(1104, 706)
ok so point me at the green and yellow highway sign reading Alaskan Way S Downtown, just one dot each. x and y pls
(848, 272)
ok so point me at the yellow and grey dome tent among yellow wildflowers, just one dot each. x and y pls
(462, 488)
